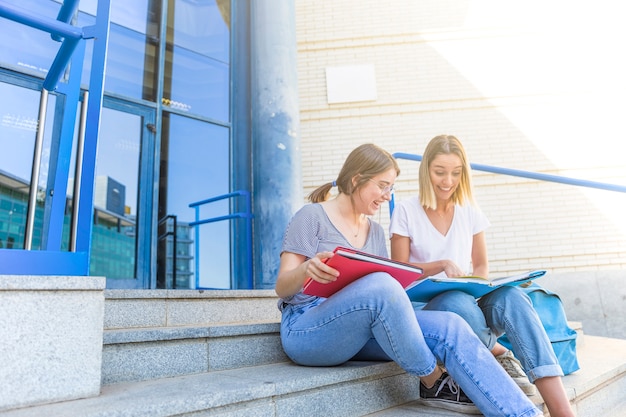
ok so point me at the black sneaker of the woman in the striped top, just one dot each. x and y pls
(447, 394)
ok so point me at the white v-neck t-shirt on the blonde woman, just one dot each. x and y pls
(427, 243)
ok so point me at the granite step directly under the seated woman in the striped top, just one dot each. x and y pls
(282, 389)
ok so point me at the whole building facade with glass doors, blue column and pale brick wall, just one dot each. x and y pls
(202, 99)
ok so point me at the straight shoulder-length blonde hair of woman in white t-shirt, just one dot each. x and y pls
(444, 145)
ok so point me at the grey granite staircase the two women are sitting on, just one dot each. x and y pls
(191, 353)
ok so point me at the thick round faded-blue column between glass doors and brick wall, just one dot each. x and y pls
(275, 131)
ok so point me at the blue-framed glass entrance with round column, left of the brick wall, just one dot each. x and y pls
(178, 127)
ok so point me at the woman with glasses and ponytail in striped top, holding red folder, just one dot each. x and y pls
(373, 318)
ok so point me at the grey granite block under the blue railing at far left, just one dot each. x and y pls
(51, 338)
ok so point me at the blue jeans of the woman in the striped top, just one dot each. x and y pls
(373, 319)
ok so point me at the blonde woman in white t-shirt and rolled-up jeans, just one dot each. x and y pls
(443, 232)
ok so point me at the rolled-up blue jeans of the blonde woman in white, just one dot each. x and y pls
(507, 309)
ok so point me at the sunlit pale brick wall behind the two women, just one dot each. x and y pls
(536, 86)
